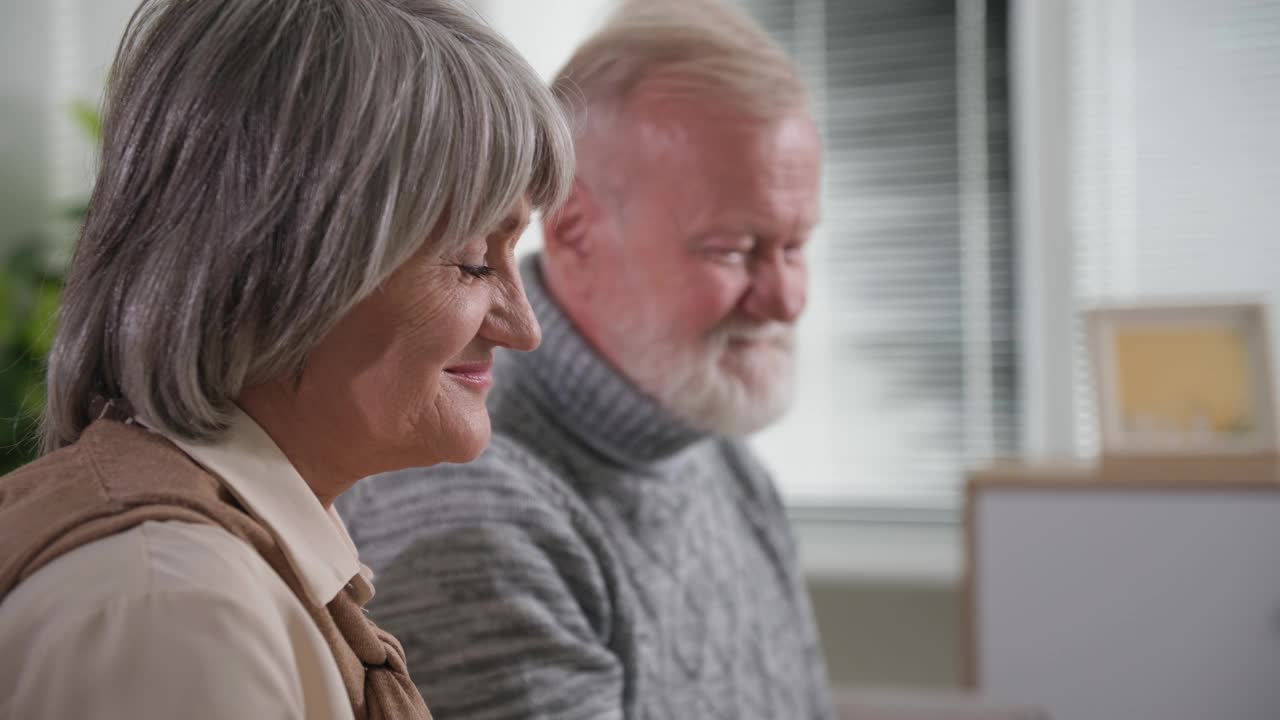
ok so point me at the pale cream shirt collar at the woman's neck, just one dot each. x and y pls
(258, 473)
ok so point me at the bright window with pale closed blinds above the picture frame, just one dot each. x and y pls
(1174, 113)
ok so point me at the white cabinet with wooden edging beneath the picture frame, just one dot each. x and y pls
(1150, 593)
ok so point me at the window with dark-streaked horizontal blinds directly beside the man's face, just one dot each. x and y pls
(908, 370)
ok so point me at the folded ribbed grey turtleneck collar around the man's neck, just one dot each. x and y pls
(584, 393)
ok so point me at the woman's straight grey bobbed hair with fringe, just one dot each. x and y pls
(267, 165)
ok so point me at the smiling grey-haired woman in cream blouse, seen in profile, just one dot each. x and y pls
(296, 267)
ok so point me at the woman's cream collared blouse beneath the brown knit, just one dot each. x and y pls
(147, 612)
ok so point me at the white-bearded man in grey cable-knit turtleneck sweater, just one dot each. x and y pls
(619, 552)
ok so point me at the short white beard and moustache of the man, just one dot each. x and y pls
(735, 381)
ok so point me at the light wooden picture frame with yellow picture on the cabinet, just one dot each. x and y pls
(1183, 380)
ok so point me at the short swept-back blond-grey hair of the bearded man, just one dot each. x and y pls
(700, 49)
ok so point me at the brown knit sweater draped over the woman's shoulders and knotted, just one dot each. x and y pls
(118, 477)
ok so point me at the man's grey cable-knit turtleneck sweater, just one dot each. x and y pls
(600, 560)
